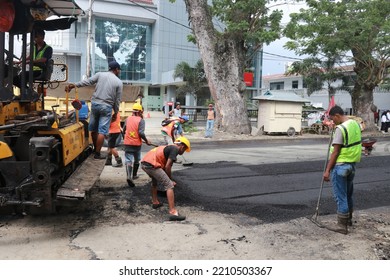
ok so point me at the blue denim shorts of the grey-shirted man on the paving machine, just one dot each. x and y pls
(100, 118)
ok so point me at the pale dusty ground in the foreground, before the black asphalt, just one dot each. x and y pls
(118, 223)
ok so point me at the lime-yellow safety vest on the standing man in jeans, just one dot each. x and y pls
(351, 150)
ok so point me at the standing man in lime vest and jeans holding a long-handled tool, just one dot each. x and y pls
(346, 151)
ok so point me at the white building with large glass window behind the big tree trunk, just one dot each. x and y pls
(148, 38)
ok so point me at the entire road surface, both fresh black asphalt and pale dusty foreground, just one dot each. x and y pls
(240, 199)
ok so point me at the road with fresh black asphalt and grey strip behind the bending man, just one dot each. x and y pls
(275, 181)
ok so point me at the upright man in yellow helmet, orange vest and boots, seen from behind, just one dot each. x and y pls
(134, 133)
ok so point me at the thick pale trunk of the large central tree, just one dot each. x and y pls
(223, 60)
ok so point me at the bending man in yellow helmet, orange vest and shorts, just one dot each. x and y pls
(157, 163)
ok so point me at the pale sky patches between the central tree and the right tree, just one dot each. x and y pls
(275, 57)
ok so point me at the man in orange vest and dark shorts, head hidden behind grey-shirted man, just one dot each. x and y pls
(113, 136)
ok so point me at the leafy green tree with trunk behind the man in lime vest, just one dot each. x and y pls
(358, 30)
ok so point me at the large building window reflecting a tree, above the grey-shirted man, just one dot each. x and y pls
(126, 42)
